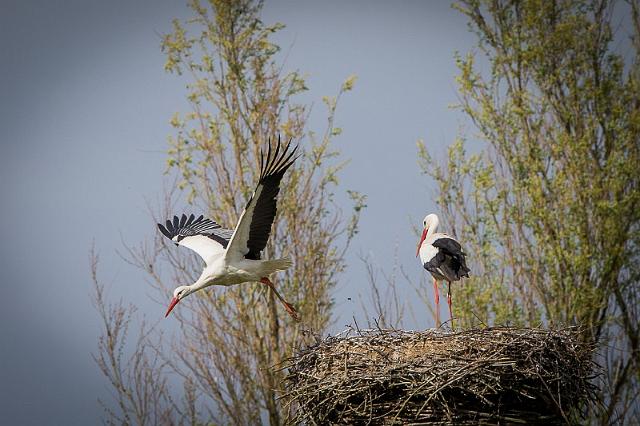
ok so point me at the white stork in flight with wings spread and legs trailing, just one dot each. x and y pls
(233, 256)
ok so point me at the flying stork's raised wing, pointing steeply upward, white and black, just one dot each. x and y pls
(253, 229)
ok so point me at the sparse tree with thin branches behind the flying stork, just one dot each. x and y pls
(231, 341)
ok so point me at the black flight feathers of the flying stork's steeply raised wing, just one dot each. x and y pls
(273, 169)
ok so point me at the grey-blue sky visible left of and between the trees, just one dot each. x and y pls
(84, 119)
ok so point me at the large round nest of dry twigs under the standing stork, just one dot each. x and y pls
(486, 376)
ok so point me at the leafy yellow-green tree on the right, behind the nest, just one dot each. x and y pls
(549, 208)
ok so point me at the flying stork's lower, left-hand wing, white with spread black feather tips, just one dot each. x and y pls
(201, 235)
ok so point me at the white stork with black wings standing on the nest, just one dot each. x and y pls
(443, 257)
